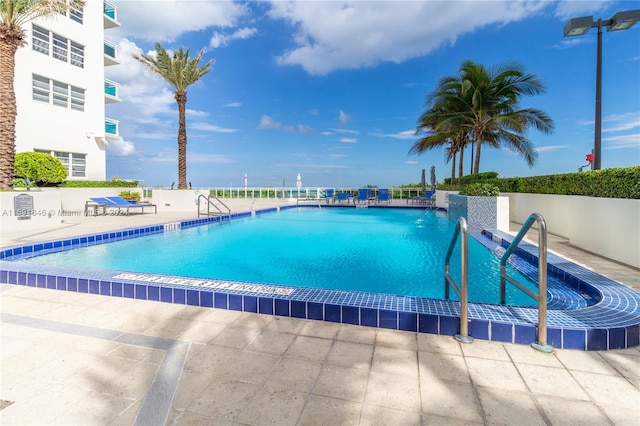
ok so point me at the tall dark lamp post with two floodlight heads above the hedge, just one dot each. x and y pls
(579, 26)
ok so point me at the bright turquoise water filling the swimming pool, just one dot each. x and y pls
(394, 251)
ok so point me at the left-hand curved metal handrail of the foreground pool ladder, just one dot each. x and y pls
(463, 290)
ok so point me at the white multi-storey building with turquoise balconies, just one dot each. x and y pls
(61, 91)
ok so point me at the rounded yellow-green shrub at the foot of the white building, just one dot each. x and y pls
(39, 167)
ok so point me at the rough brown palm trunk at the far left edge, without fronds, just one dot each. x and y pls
(9, 44)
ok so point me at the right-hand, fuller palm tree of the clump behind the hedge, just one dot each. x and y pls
(494, 113)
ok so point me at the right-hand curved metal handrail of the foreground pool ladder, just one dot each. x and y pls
(541, 296)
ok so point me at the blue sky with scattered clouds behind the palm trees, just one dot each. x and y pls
(332, 90)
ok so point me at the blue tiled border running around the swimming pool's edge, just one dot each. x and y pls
(611, 322)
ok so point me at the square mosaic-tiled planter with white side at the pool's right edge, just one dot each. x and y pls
(480, 212)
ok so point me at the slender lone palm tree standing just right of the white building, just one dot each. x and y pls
(180, 71)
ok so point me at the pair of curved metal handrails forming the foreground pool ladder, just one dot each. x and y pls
(463, 292)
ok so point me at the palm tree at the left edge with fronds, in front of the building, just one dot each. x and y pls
(13, 15)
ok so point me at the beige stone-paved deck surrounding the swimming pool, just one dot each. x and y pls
(72, 358)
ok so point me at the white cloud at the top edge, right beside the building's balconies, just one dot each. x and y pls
(162, 21)
